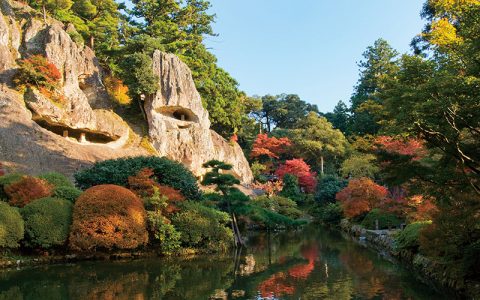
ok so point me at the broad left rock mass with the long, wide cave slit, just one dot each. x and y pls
(32, 127)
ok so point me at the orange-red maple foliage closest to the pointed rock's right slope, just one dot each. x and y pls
(271, 147)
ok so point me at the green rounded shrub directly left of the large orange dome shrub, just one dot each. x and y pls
(47, 222)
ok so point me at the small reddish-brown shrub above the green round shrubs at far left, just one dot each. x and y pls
(26, 190)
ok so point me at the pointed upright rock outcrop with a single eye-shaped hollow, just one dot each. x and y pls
(179, 126)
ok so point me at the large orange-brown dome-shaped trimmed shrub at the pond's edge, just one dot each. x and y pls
(108, 217)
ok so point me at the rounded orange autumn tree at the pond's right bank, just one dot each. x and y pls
(361, 196)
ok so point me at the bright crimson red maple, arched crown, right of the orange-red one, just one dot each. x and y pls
(299, 168)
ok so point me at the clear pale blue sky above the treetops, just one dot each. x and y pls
(306, 47)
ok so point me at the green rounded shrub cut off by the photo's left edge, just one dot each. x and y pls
(11, 226)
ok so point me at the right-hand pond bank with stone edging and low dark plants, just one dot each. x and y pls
(429, 271)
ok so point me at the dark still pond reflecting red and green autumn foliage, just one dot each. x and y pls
(312, 263)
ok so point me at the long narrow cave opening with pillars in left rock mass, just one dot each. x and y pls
(81, 135)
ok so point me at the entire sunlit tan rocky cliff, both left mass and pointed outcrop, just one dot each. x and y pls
(37, 134)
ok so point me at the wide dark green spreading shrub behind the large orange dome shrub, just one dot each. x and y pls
(166, 172)
